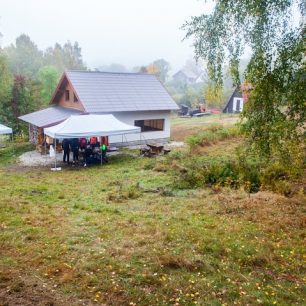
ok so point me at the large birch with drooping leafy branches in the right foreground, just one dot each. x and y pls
(275, 112)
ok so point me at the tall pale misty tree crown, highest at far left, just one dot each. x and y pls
(24, 57)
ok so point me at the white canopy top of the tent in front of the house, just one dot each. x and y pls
(90, 125)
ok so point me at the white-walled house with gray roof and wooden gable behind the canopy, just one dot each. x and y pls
(133, 98)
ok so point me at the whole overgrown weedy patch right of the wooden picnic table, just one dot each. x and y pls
(194, 168)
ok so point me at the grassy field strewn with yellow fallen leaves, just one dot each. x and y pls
(122, 234)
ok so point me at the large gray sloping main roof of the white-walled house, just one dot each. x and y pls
(118, 92)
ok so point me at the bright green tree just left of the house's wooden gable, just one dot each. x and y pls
(48, 77)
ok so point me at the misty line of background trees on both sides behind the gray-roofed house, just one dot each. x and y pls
(28, 77)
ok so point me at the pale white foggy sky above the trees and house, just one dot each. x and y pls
(130, 32)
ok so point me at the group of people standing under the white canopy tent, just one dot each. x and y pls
(90, 150)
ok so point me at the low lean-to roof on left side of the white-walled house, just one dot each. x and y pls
(49, 116)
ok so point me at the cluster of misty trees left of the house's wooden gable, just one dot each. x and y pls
(28, 76)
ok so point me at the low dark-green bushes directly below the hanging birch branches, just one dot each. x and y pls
(246, 171)
